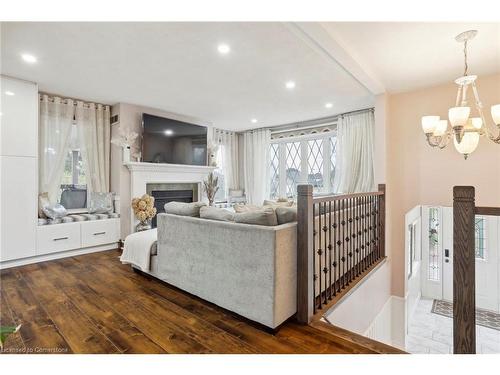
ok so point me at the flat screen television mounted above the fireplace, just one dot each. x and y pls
(174, 142)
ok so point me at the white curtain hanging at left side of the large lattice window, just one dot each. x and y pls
(256, 165)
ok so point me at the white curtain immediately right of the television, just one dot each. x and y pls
(228, 142)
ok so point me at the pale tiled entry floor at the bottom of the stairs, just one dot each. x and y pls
(433, 333)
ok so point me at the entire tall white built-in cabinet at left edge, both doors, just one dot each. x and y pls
(18, 168)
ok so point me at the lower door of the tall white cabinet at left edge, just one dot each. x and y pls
(18, 207)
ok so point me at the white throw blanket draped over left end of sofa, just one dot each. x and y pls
(137, 248)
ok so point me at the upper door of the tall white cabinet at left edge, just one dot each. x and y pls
(19, 120)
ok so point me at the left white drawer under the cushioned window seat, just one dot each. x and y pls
(58, 237)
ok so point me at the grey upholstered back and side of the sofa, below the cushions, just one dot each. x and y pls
(248, 269)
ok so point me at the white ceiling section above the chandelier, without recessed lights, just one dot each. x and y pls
(406, 56)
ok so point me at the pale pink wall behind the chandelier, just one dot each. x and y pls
(418, 174)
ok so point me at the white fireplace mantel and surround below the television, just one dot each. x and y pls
(142, 174)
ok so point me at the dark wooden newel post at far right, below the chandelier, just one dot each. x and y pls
(464, 277)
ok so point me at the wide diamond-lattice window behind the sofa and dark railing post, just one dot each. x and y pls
(302, 159)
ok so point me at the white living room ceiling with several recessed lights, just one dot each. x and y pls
(176, 67)
